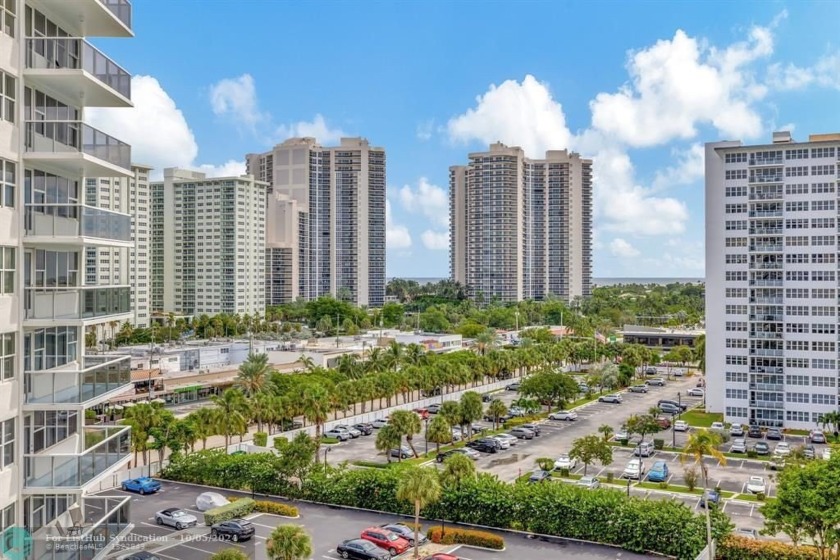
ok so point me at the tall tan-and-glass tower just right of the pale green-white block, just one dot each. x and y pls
(326, 220)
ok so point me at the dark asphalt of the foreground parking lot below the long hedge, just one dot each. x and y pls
(327, 526)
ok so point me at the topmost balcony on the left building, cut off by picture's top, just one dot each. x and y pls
(92, 18)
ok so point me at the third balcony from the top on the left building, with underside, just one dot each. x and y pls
(74, 149)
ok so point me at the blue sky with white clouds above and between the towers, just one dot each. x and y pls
(637, 86)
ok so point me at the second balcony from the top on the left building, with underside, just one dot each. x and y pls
(78, 71)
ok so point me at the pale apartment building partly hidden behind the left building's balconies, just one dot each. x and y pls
(129, 195)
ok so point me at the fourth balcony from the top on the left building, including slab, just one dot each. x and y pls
(76, 224)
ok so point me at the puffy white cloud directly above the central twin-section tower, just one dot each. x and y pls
(516, 113)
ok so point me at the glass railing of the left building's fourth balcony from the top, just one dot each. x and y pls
(73, 220)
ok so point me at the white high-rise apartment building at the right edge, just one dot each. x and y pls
(771, 280)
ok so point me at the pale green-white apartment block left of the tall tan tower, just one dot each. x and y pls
(208, 244)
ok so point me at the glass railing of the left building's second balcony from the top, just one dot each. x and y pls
(70, 53)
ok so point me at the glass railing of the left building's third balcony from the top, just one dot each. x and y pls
(76, 136)
